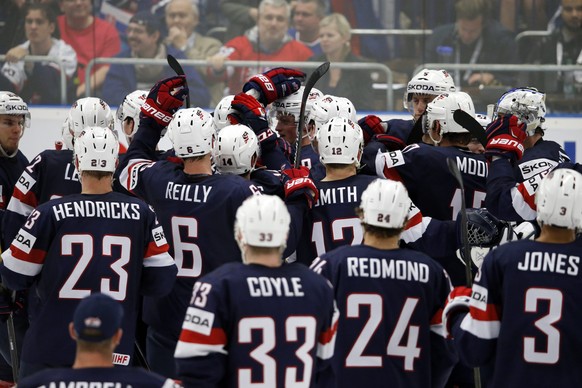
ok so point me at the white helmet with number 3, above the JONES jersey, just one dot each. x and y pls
(559, 199)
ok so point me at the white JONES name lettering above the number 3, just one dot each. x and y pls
(550, 262)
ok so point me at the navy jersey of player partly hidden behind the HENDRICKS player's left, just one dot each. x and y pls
(50, 175)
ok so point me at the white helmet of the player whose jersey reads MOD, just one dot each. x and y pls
(442, 109)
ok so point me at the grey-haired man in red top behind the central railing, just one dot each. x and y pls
(267, 41)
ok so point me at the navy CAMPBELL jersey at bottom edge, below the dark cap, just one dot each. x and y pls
(97, 377)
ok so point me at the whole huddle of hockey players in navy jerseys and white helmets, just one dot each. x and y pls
(265, 251)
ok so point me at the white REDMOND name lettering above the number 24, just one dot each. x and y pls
(371, 267)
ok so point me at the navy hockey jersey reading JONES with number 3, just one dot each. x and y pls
(525, 313)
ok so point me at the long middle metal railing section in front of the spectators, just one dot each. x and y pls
(261, 64)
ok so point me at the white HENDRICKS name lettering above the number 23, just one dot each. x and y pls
(98, 209)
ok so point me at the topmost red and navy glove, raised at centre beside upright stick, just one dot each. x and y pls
(274, 84)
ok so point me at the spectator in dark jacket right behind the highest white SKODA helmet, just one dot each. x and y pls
(474, 38)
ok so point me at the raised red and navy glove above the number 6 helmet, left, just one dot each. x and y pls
(165, 98)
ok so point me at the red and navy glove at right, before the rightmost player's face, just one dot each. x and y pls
(505, 137)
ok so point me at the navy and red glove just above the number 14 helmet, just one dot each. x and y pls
(250, 112)
